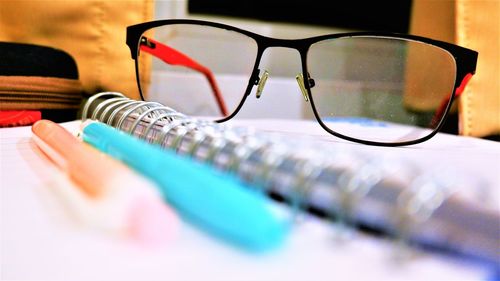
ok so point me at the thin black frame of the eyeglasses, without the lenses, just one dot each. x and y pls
(465, 60)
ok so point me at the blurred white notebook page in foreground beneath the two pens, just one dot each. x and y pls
(41, 241)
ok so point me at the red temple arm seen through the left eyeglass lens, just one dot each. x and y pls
(174, 57)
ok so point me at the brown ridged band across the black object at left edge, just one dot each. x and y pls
(28, 92)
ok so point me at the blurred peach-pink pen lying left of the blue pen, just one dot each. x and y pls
(117, 198)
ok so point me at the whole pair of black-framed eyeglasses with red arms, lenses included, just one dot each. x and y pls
(368, 87)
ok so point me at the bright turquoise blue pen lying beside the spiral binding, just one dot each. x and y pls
(211, 199)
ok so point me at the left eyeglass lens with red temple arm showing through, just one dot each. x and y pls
(195, 67)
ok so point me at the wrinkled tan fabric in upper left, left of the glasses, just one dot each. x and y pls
(93, 32)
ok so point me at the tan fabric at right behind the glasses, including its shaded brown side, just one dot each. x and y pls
(472, 24)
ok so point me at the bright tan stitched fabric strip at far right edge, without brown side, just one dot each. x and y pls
(478, 27)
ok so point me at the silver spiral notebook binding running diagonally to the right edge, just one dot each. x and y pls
(379, 193)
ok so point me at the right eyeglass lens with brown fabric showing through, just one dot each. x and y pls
(380, 89)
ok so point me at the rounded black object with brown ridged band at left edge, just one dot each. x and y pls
(39, 78)
